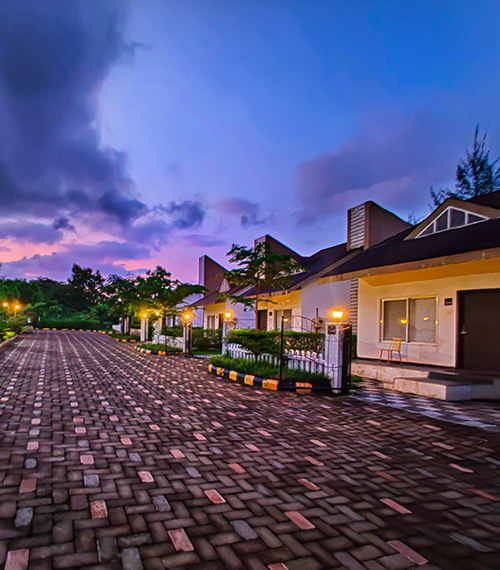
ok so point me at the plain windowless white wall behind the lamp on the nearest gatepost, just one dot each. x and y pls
(325, 297)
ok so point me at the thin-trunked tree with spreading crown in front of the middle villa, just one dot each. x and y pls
(258, 267)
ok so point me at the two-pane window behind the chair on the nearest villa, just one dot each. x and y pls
(412, 320)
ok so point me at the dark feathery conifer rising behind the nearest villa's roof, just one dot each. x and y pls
(475, 174)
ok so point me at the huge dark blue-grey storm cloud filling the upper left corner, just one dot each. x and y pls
(54, 56)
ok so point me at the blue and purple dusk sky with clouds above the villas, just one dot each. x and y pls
(156, 131)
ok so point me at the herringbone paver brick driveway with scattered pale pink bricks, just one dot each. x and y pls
(114, 459)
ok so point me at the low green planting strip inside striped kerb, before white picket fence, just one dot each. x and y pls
(266, 370)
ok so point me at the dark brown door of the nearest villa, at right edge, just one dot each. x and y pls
(479, 330)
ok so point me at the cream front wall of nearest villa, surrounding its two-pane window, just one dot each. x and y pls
(443, 352)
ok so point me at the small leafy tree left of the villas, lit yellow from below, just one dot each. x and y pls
(160, 294)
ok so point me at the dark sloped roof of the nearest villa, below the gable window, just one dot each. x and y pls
(396, 250)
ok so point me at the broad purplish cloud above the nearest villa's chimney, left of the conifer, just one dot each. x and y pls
(394, 161)
